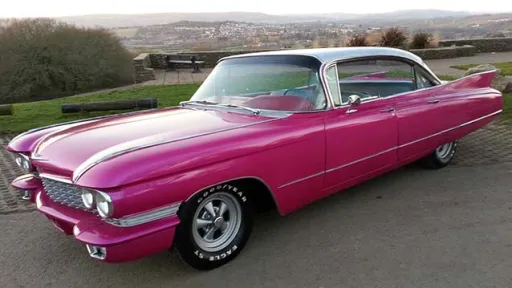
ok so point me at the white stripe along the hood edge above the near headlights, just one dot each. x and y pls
(117, 150)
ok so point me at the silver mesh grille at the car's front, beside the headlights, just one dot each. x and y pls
(64, 193)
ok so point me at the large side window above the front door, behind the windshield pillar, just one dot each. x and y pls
(374, 78)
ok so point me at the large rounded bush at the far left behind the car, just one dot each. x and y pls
(42, 58)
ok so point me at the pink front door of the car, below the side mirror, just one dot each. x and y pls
(361, 140)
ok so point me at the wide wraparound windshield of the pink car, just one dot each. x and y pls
(283, 83)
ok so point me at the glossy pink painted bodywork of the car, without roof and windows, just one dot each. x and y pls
(300, 158)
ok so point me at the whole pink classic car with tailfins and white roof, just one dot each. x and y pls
(274, 130)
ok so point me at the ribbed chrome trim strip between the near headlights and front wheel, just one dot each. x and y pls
(145, 217)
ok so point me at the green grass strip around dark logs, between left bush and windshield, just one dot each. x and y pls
(36, 114)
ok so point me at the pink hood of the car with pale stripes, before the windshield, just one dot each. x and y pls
(67, 149)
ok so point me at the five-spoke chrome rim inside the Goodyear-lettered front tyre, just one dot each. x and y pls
(216, 222)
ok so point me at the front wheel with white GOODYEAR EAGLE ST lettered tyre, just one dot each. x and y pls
(215, 226)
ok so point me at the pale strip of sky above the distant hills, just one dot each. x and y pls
(56, 8)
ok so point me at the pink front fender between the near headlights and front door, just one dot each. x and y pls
(172, 172)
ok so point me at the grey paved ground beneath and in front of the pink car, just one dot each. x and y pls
(409, 228)
